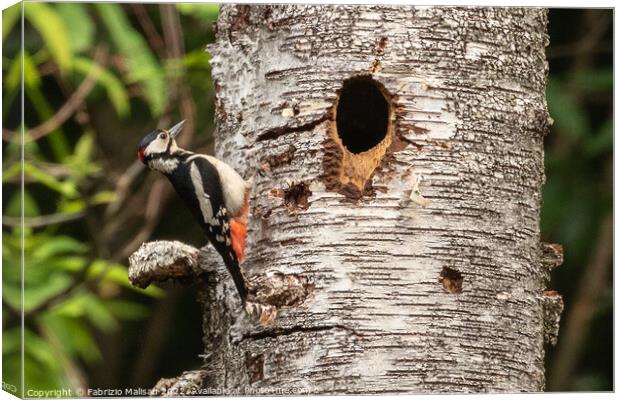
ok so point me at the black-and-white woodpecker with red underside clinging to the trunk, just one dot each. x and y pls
(213, 191)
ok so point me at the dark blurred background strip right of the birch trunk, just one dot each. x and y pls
(578, 195)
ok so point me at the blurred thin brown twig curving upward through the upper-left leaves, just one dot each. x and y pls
(69, 108)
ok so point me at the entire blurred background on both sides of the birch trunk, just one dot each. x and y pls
(94, 88)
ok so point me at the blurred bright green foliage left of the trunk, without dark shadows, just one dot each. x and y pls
(72, 289)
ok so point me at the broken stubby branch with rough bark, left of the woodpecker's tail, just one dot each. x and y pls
(162, 261)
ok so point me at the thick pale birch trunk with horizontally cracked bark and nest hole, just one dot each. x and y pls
(396, 231)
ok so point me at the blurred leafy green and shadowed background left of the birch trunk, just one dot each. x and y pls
(97, 77)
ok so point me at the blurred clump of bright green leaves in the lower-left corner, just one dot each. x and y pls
(60, 277)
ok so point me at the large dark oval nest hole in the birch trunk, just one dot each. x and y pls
(362, 114)
